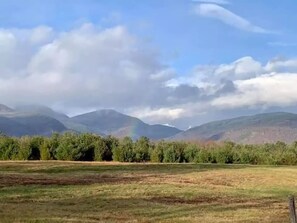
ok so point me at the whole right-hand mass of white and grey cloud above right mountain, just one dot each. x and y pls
(244, 83)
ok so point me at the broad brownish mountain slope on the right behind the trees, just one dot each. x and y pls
(261, 128)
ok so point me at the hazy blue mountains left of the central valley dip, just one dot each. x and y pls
(41, 120)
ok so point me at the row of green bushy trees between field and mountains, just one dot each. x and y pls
(90, 147)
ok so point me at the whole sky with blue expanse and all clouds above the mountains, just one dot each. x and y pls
(174, 62)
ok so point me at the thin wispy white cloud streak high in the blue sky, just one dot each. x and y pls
(222, 14)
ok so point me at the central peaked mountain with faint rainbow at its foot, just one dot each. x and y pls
(111, 122)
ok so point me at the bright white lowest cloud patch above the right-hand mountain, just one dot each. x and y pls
(265, 90)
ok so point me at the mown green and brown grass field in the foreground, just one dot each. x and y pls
(113, 192)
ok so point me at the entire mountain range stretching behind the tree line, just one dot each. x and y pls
(41, 120)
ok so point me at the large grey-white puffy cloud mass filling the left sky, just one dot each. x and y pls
(85, 67)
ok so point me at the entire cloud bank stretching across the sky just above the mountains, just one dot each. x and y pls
(91, 68)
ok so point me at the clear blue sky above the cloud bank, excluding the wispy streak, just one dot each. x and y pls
(184, 38)
